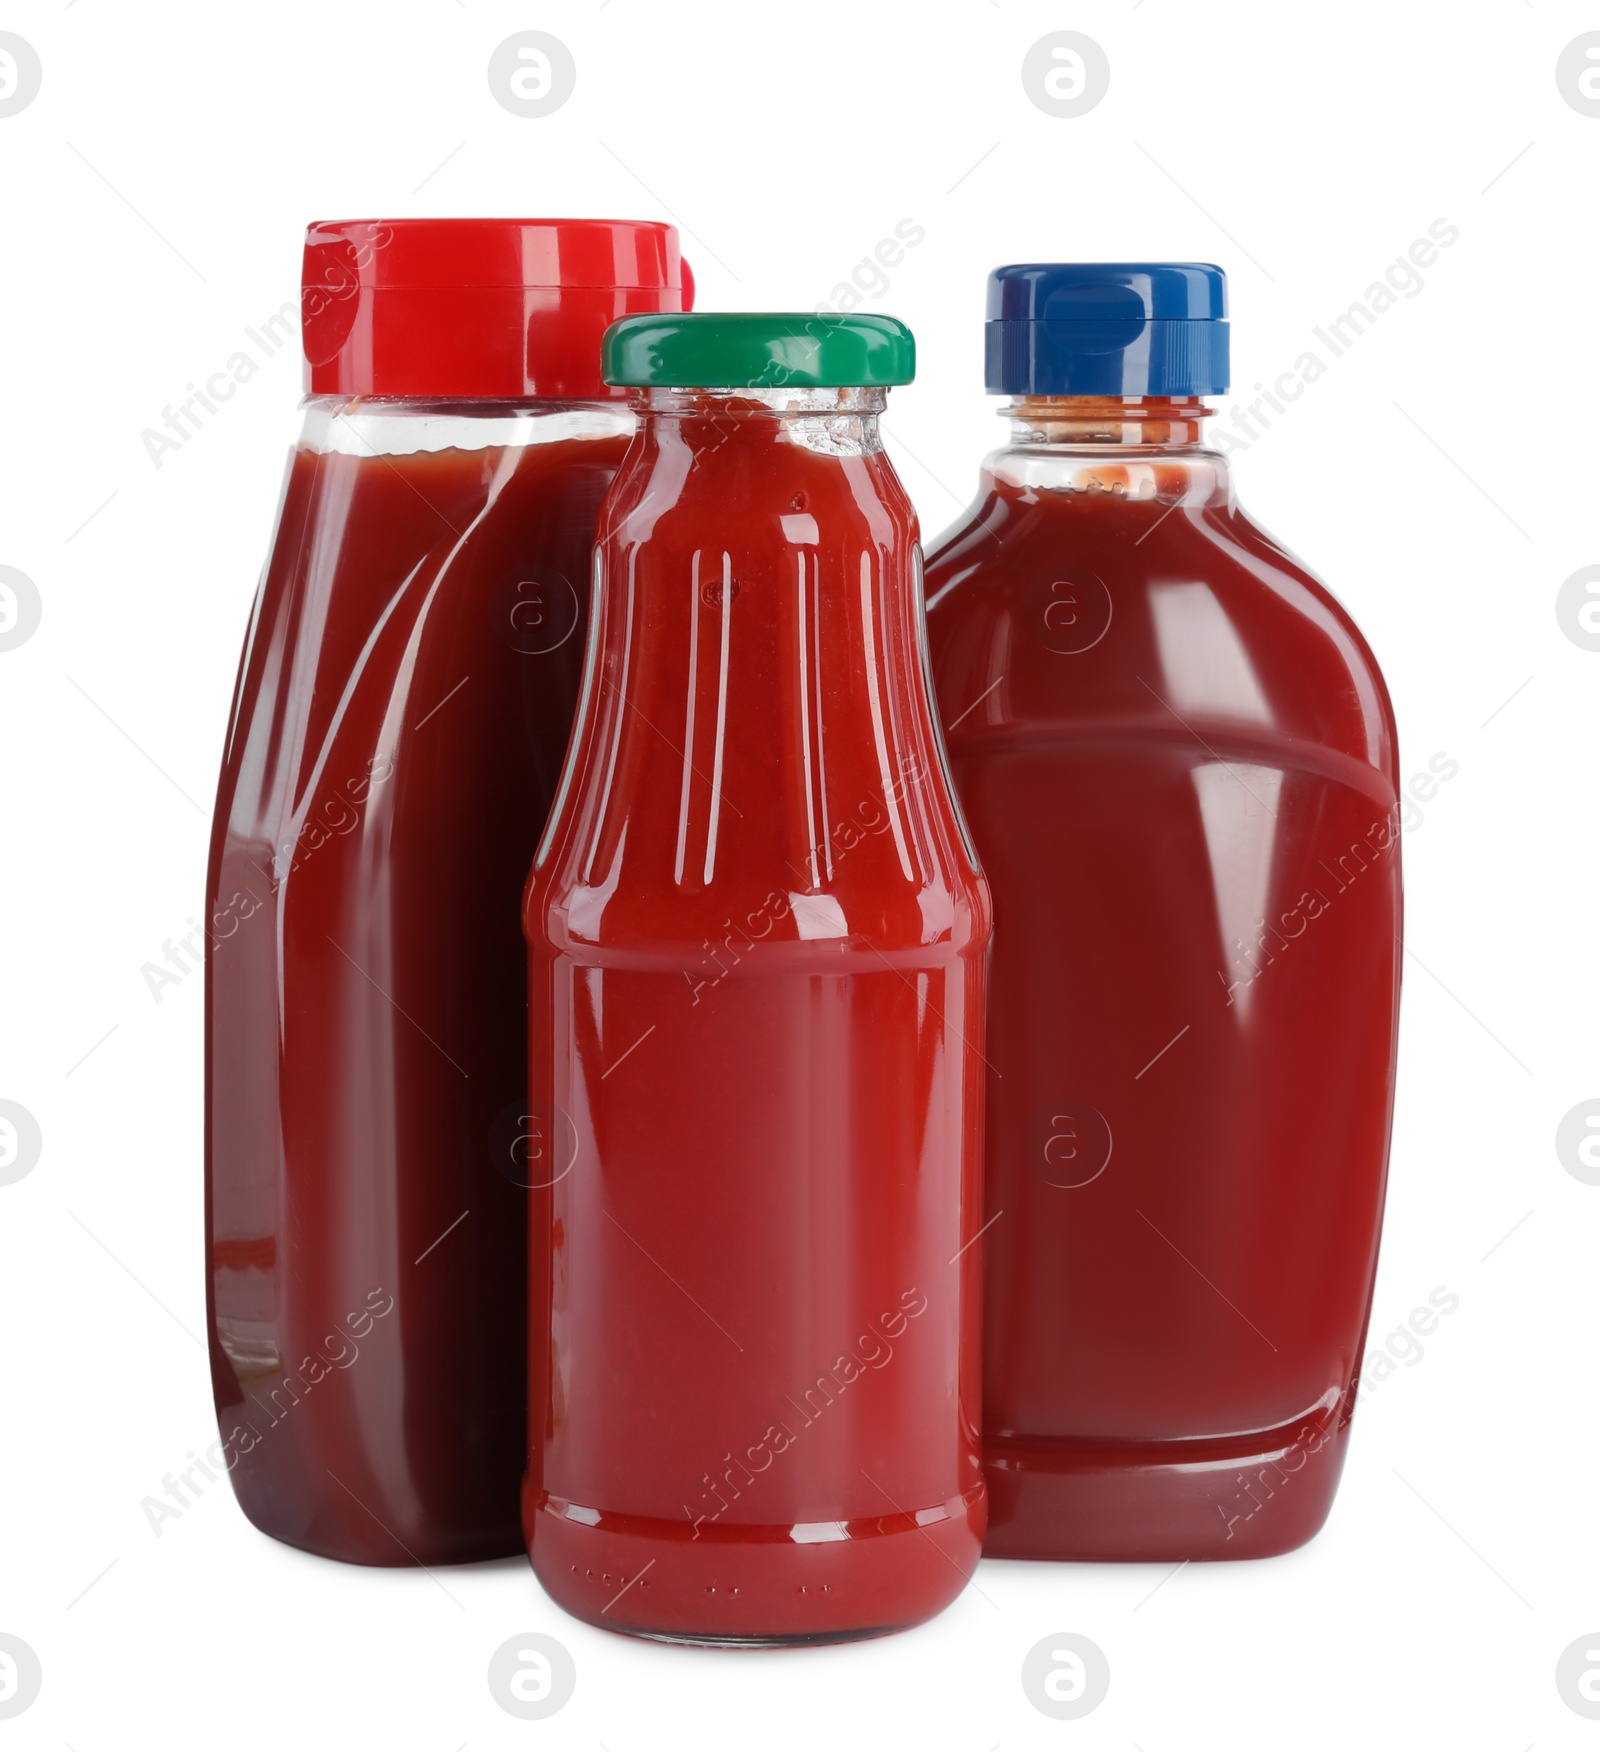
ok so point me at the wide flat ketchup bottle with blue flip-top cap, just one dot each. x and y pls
(1179, 763)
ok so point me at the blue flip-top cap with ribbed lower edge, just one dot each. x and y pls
(1108, 328)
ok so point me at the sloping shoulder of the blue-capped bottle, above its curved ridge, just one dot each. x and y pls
(1184, 619)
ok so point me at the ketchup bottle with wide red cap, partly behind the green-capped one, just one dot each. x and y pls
(404, 703)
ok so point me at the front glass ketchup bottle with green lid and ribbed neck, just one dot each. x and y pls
(756, 947)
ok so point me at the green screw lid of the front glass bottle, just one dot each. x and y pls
(758, 351)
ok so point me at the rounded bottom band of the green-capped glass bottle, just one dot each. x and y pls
(754, 1586)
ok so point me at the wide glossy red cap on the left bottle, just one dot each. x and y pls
(478, 307)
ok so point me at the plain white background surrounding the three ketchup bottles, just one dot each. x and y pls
(1441, 476)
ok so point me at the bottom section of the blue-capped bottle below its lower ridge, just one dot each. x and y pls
(1254, 1495)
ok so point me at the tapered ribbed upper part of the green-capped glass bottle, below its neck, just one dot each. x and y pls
(758, 752)
